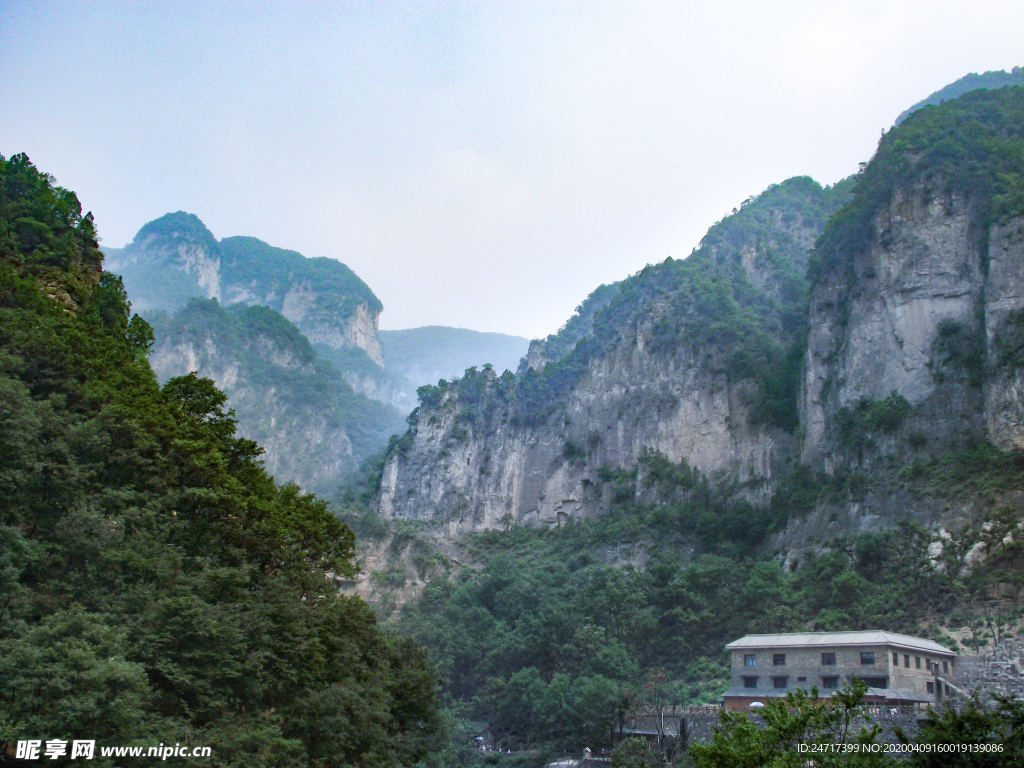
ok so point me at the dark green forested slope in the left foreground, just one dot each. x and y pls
(156, 585)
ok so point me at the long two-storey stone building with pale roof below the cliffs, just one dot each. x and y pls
(900, 670)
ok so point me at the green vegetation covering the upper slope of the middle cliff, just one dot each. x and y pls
(708, 307)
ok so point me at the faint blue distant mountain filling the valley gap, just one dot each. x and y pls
(428, 355)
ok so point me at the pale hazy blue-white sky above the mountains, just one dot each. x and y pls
(483, 165)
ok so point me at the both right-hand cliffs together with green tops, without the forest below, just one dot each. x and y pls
(885, 382)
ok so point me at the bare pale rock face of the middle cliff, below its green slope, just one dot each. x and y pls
(491, 472)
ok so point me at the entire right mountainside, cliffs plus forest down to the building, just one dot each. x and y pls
(852, 355)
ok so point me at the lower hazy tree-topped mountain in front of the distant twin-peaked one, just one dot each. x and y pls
(297, 406)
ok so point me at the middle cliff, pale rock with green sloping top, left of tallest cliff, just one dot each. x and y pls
(665, 367)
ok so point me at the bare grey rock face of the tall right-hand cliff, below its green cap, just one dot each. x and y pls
(926, 290)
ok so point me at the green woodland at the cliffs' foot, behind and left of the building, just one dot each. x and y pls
(550, 639)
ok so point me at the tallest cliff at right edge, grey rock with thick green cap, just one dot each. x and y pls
(916, 314)
